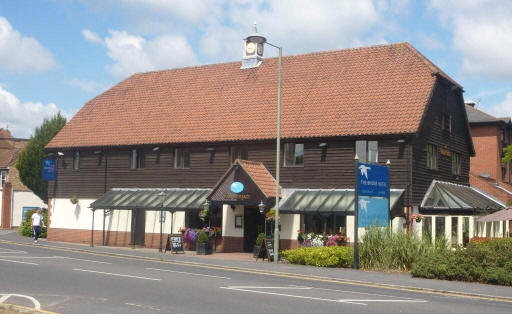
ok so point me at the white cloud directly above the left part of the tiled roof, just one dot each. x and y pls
(132, 53)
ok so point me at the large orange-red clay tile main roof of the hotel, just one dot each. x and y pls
(351, 92)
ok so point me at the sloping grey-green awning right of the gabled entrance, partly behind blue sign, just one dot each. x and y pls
(339, 201)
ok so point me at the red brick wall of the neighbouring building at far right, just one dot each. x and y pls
(487, 147)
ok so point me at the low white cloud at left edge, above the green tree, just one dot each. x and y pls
(23, 117)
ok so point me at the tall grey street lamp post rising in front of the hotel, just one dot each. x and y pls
(260, 40)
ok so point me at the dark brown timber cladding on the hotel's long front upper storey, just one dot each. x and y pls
(159, 172)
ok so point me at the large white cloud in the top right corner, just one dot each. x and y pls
(482, 32)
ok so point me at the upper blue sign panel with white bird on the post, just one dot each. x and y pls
(373, 180)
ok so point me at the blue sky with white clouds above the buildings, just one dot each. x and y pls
(55, 55)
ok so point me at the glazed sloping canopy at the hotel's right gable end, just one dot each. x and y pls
(455, 198)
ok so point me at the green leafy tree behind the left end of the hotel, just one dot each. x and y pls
(30, 160)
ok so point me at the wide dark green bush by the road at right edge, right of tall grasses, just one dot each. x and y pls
(487, 262)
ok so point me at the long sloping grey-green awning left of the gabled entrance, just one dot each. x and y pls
(152, 199)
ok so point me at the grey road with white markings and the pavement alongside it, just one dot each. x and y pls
(65, 277)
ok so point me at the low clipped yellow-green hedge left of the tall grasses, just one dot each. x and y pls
(325, 256)
